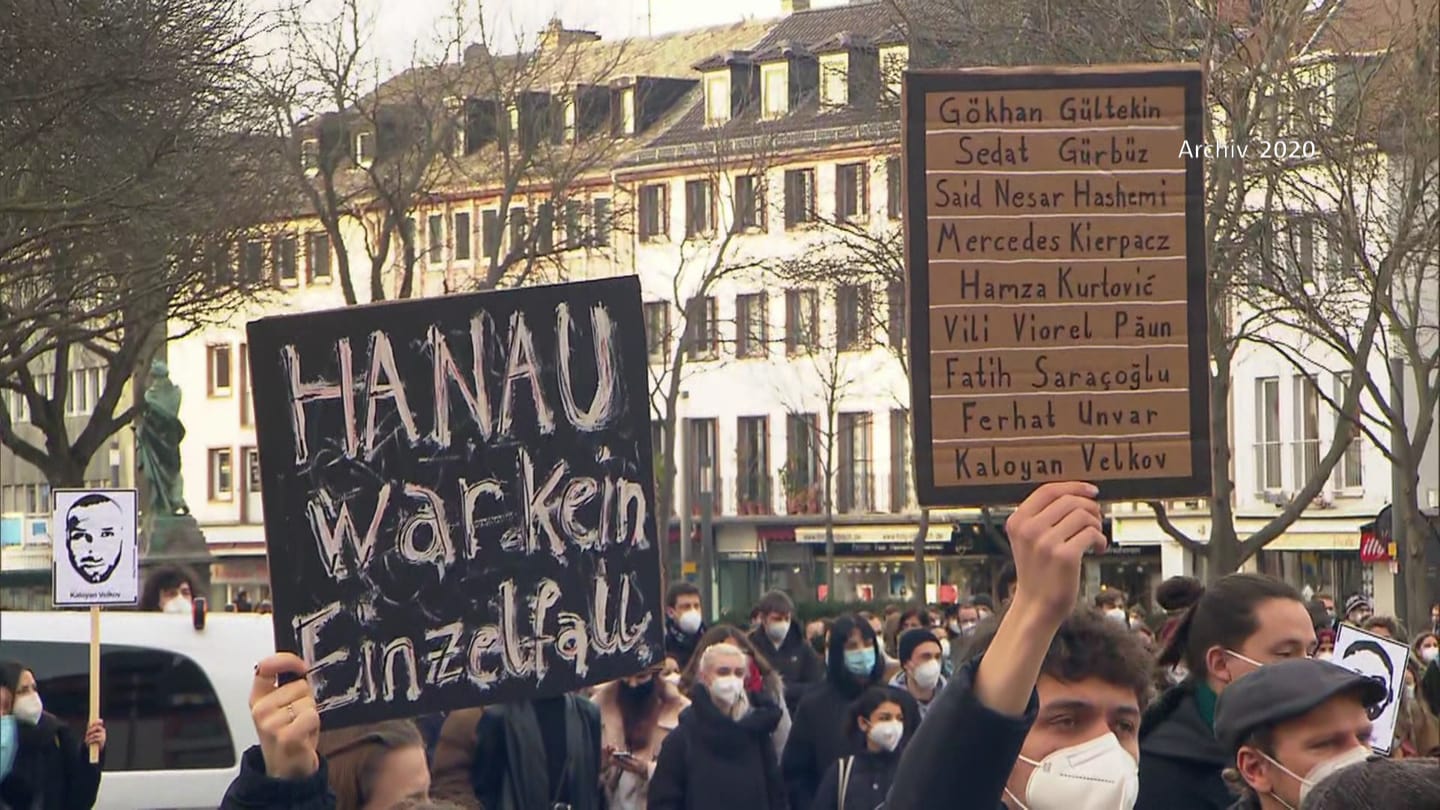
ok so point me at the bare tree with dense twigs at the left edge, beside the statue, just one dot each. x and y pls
(119, 132)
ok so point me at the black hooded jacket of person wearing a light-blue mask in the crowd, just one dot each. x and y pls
(820, 734)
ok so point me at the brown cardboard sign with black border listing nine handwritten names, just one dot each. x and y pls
(1055, 239)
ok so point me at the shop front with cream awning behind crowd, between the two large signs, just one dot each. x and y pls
(876, 564)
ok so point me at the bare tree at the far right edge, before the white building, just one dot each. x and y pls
(1364, 240)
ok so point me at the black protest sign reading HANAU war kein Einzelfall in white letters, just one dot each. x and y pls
(459, 497)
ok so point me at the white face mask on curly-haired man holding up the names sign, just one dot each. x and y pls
(1094, 776)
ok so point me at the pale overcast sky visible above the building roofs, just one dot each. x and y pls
(401, 24)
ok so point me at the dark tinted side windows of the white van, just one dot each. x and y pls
(161, 711)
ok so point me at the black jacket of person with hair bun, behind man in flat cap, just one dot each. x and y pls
(1182, 763)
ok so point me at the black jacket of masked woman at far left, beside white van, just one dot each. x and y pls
(53, 769)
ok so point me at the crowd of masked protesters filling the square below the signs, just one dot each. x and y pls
(1020, 700)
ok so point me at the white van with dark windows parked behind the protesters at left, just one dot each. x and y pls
(175, 700)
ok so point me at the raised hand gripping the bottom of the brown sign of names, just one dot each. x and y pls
(1049, 535)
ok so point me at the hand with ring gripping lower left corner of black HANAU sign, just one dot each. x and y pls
(286, 718)
